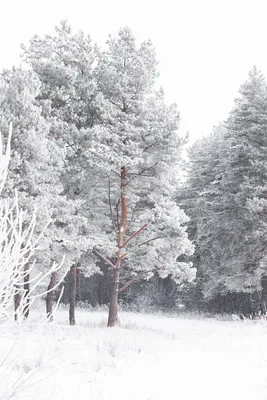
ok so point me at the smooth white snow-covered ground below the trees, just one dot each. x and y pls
(147, 357)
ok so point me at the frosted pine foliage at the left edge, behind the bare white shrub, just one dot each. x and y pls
(35, 166)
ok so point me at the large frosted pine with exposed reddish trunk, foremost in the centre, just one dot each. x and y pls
(135, 151)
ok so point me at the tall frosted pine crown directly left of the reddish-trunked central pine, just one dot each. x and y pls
(63, 63)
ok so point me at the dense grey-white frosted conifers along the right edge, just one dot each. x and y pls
(227, 182)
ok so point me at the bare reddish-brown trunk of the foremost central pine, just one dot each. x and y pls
(114, 293)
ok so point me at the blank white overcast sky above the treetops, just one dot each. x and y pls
(205, 47)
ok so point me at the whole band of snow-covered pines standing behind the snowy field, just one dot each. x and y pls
(97, 151)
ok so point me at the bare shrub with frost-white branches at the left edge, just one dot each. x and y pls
(17, 247)
